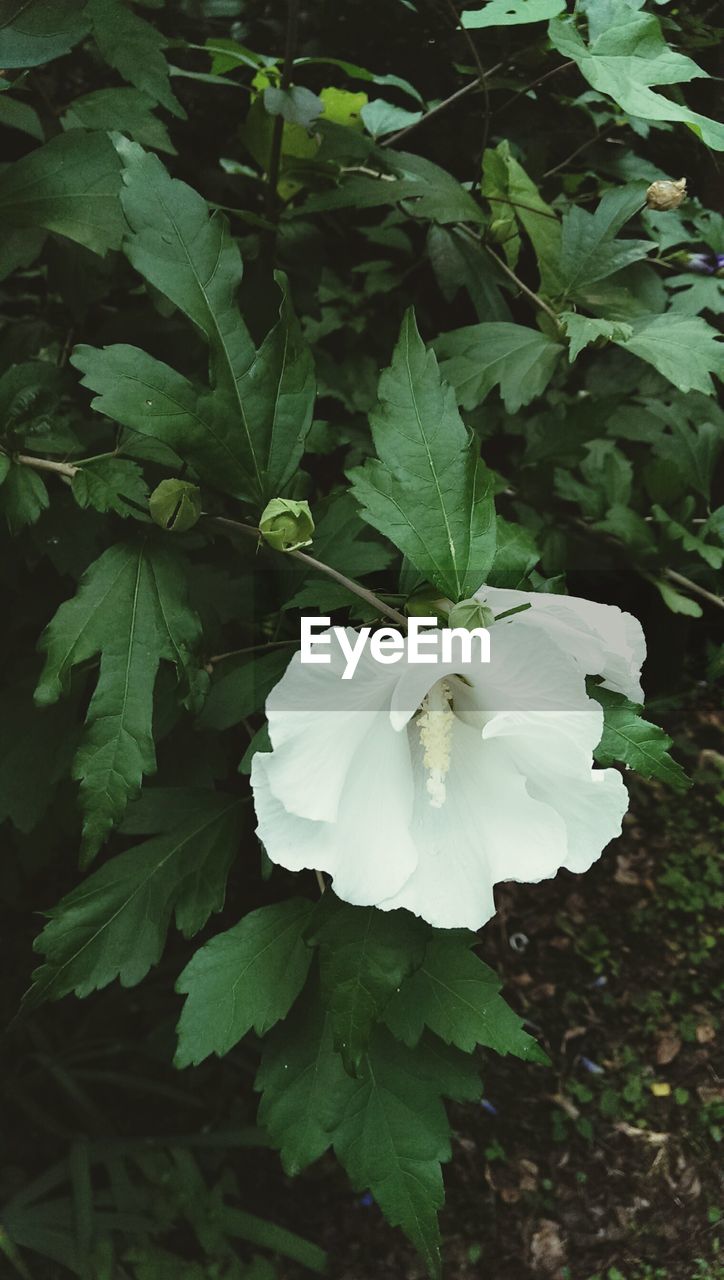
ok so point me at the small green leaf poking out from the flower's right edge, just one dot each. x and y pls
(634, 742)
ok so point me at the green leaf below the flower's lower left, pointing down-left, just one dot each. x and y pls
(248, 977)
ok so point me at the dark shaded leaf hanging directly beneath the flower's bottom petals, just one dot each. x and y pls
(365, 956)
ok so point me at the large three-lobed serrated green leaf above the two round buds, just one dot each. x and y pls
(248, 435)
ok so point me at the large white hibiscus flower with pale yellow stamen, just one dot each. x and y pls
(423, 787)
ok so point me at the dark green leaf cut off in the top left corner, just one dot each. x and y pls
(36, 31)
